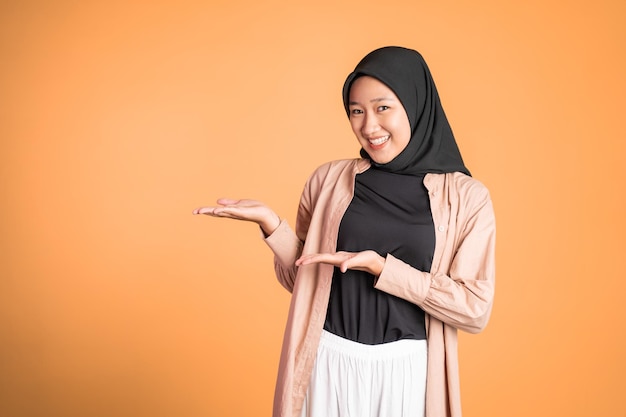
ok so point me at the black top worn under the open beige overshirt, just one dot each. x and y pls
(389, 213)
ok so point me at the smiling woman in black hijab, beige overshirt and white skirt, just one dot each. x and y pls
(391, 254)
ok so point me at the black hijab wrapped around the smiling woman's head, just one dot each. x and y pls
(432, 147)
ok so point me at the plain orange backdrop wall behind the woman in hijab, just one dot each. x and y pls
(118, 118)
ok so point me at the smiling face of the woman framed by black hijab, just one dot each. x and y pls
(378, 119)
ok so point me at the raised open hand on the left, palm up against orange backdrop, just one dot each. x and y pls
(244, 209)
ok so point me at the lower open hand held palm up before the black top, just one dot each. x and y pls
(368, 261)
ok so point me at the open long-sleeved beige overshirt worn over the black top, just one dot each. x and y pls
(456, 294)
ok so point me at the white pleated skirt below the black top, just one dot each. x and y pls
(352, 379)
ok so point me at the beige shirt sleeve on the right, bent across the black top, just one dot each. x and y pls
(461, 295)
